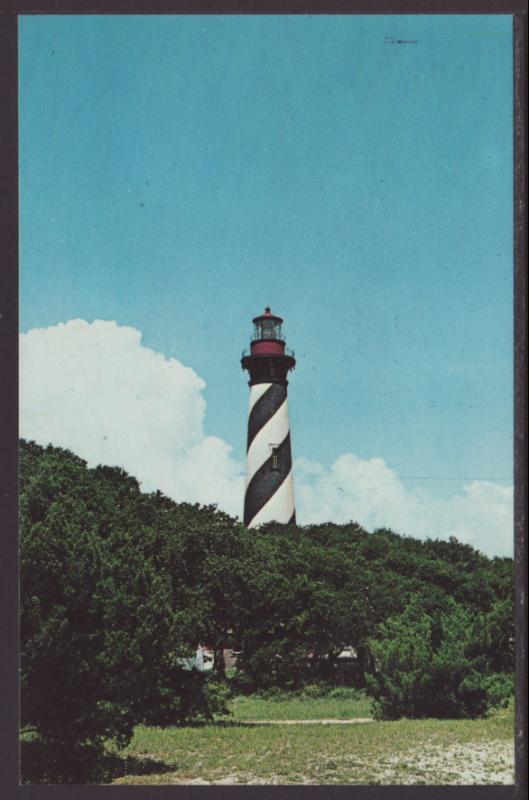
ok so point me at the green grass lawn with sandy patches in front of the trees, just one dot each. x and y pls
(404, 752)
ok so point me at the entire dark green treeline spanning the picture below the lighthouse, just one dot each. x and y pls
(118, 587)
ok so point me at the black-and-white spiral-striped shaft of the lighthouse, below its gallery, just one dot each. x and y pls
(269, 486)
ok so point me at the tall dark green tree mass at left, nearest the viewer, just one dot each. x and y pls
(105, 621)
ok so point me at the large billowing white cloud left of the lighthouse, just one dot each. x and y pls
(95, 389)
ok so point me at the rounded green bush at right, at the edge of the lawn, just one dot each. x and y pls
(435, 665)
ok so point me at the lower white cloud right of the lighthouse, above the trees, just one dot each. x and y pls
(370, 493)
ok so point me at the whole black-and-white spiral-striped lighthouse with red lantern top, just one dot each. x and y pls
(269, 493)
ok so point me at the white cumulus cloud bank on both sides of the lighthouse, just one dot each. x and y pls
(95, 389)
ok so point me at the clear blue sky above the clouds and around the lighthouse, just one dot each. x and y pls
(180, 173)
